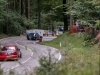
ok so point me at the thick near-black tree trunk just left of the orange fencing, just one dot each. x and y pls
(65, 17)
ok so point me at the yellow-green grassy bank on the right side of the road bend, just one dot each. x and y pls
(79, 59)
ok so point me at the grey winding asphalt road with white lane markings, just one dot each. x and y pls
(31, 51)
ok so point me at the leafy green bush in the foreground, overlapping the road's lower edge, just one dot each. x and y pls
(48, 66)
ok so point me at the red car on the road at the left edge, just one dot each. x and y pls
(10, 52)
